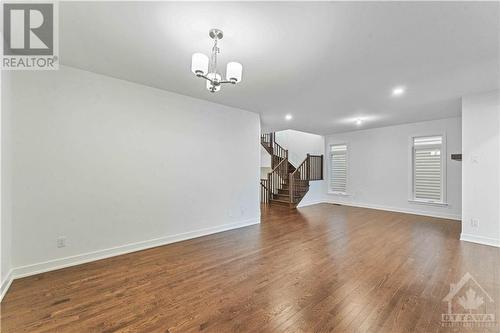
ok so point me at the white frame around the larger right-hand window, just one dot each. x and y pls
(411, 193)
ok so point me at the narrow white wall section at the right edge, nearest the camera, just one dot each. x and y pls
(481, 168)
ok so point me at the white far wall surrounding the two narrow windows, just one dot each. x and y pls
(379, 164)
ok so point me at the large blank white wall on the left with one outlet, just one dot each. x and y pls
(108, 163)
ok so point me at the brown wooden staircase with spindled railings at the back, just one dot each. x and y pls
(287, 184)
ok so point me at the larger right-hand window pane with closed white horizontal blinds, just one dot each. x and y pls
(428, 169)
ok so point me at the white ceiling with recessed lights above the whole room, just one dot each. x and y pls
(325, 63)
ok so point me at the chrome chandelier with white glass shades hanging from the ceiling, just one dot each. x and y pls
(206, 68)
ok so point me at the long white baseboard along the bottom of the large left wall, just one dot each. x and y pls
(23, 271)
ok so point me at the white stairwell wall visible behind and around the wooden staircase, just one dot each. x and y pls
(299, 144)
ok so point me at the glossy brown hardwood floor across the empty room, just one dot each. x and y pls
(321, 268)
